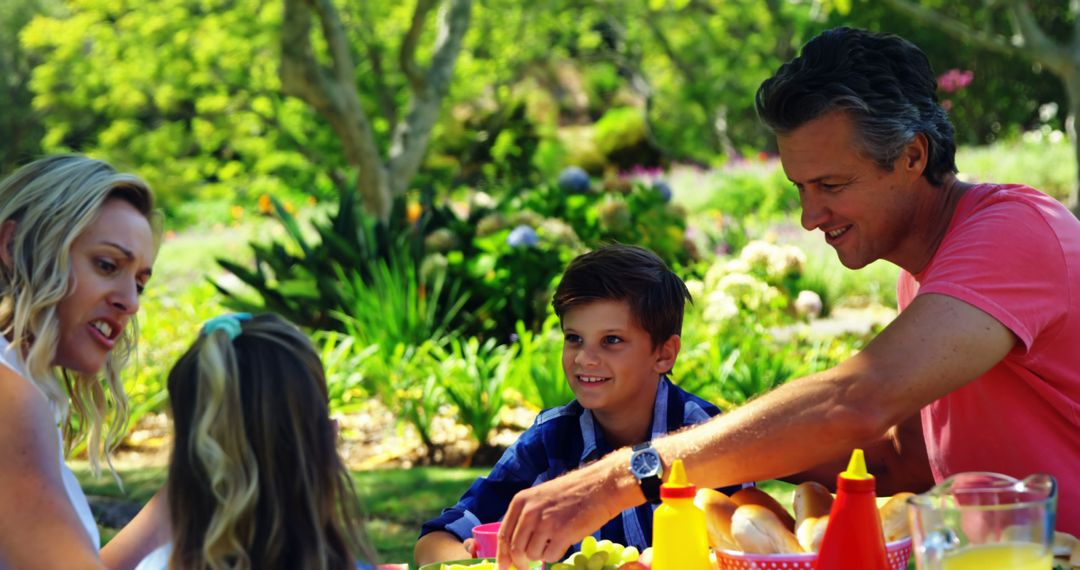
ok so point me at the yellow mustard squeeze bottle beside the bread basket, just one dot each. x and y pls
(680, 539)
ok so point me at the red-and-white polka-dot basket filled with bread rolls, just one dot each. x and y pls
(751, 531)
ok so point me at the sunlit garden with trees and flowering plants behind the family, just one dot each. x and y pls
(408, 180)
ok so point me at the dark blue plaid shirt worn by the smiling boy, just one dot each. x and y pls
(562, 440)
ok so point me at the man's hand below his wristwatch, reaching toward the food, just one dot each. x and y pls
(546, 521)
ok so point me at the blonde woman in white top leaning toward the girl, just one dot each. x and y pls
(77, 246)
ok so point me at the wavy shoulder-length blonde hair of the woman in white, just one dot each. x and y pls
(52, 201)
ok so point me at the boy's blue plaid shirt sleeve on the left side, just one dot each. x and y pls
(489, 498)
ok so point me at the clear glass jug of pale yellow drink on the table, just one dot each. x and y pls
(985, 522)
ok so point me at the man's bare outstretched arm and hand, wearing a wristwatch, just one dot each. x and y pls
(936, 346)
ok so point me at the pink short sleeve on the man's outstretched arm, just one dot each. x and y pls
(1007, 262)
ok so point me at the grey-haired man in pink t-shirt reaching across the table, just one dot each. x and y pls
(981, 370)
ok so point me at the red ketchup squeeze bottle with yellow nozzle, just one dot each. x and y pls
(854, 538)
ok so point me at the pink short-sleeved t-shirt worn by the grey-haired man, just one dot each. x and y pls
(1014, 253)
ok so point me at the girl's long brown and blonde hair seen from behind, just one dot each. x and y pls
(255, 481)
